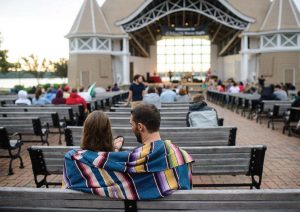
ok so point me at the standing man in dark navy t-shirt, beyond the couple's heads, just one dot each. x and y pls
(136, 91)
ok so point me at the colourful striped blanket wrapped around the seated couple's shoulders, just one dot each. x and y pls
(152, 171)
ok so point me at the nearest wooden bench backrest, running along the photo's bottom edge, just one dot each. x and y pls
(41, 199)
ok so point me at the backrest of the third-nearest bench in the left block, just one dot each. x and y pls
(51, 118)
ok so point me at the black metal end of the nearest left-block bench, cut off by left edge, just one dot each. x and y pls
(11, 143)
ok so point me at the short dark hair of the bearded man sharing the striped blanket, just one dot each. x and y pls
(148, 115)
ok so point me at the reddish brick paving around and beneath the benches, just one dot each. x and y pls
(281, 168)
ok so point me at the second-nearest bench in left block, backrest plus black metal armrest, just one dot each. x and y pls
(26, 126)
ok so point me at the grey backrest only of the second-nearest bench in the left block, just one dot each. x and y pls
(23, 125)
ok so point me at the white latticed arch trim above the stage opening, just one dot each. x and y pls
(198, 6)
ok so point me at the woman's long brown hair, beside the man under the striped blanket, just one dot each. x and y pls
(97, 135)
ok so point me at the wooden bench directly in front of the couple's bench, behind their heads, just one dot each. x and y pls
(181, 136)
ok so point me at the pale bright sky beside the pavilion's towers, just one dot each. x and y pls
(39, 27)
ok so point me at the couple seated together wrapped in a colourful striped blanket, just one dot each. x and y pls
(153, 170)
